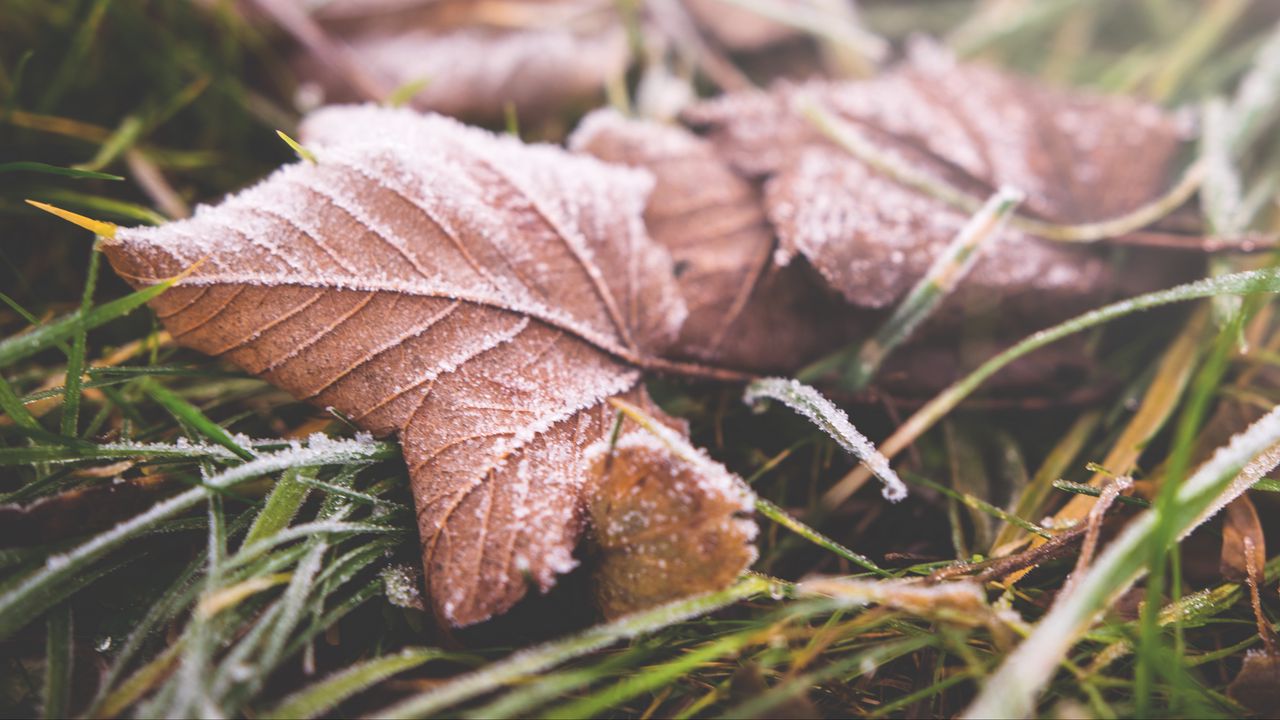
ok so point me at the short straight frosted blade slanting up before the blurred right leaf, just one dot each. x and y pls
(947, 272)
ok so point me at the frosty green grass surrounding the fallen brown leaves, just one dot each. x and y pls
(259, 571)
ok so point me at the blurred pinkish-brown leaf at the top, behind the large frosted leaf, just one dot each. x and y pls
(477, 57)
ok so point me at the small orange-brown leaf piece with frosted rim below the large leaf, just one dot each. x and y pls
(669, 523)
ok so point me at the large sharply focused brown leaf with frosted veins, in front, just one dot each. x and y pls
(476, 295)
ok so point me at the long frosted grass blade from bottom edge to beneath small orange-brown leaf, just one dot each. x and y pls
(550, 655)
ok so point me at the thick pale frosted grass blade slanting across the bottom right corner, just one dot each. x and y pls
(1013, 690)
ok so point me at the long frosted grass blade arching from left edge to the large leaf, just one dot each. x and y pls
(35, 593)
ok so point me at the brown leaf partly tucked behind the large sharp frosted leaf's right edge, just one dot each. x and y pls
(744, 312)
